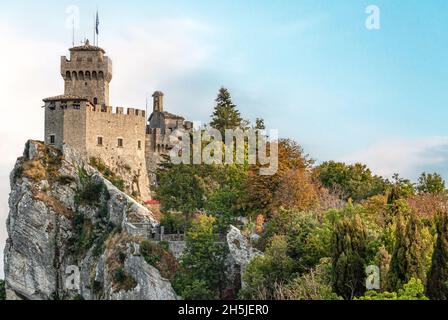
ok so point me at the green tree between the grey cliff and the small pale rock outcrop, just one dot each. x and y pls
(203, 260)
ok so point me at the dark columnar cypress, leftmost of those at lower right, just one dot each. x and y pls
(349, 255)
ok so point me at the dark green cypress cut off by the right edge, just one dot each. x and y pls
(437, 285)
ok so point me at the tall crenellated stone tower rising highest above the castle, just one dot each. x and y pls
(87, 74)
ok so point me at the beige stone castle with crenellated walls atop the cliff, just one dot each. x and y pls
(83, 119)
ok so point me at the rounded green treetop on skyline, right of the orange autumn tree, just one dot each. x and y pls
(353, 181)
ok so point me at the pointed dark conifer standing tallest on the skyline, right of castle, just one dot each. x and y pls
(225, 116)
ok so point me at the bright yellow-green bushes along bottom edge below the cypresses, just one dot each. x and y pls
(413, 290)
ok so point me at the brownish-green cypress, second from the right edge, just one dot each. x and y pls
(408, 259)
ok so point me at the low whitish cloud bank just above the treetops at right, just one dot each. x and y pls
(407, 157)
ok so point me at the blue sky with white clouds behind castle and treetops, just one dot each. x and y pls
(310, 68)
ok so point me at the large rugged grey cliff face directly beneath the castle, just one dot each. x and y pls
(68, 236)
